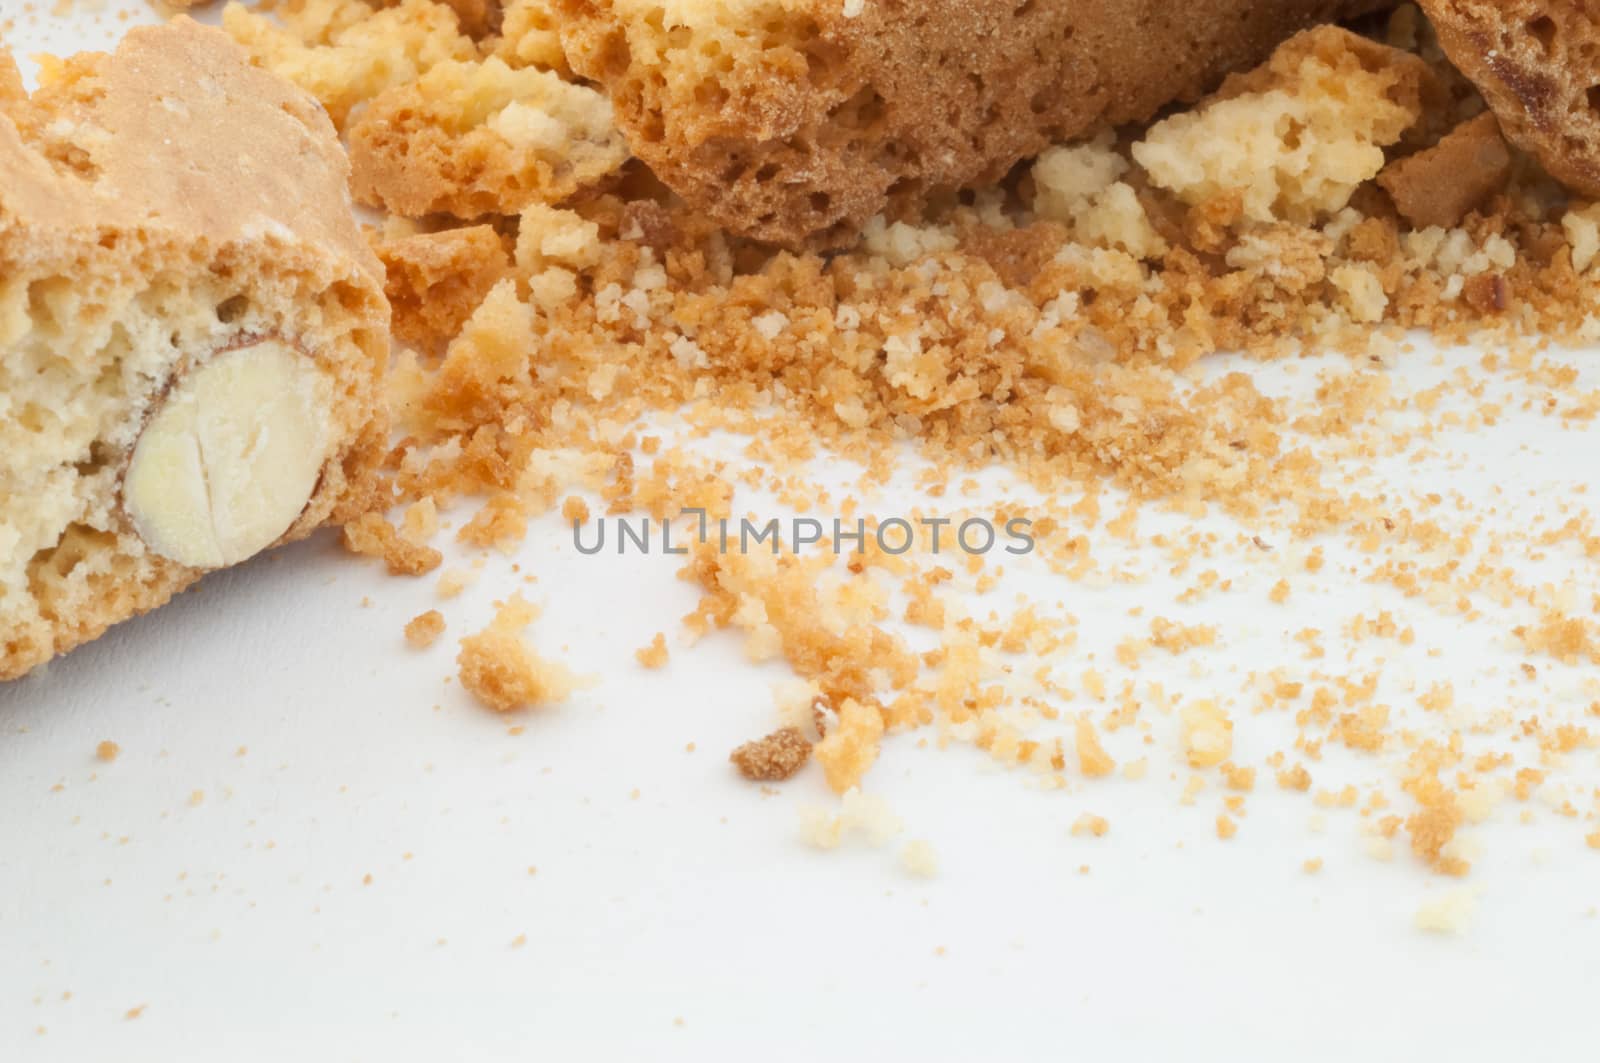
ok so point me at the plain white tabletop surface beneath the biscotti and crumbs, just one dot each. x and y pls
(670, 891)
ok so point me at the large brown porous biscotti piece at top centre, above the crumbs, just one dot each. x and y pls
(798, 121)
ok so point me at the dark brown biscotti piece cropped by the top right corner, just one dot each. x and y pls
(1538, 65)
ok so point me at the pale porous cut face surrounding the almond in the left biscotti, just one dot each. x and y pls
(89, 358)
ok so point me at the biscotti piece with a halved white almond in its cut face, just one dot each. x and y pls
(193, 332)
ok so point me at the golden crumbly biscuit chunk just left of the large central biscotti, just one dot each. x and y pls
(478, 138)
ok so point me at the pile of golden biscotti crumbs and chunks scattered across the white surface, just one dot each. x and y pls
(1058, 326)
